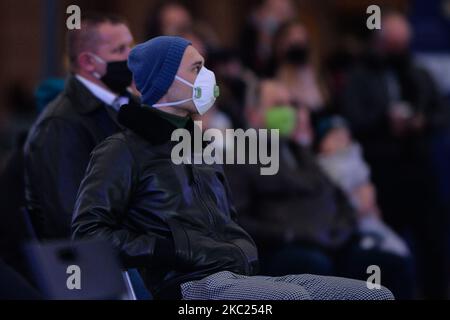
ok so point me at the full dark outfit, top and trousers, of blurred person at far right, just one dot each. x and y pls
(400, 164)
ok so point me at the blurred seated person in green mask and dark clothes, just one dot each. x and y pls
(300, 220)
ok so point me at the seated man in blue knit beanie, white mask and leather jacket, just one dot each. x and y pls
(176, 223)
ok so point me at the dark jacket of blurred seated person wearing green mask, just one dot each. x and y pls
(298, 204)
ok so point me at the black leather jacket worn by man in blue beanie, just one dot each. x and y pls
(175, 222)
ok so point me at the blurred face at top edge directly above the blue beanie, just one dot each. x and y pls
(174, 19)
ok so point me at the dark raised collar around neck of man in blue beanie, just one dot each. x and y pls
(148, 124)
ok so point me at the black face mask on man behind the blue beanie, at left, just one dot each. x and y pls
(117, 77)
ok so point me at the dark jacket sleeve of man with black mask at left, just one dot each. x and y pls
(55, 161)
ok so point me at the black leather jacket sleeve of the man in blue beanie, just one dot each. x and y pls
(102, 203)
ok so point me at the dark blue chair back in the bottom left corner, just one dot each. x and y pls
(66, 270)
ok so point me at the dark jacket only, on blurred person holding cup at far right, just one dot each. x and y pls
(367, 97)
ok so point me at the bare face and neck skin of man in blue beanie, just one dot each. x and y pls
(190, 66)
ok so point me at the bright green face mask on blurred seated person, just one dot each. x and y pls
(282, 118)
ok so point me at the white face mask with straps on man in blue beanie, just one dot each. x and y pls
(204, 93)
